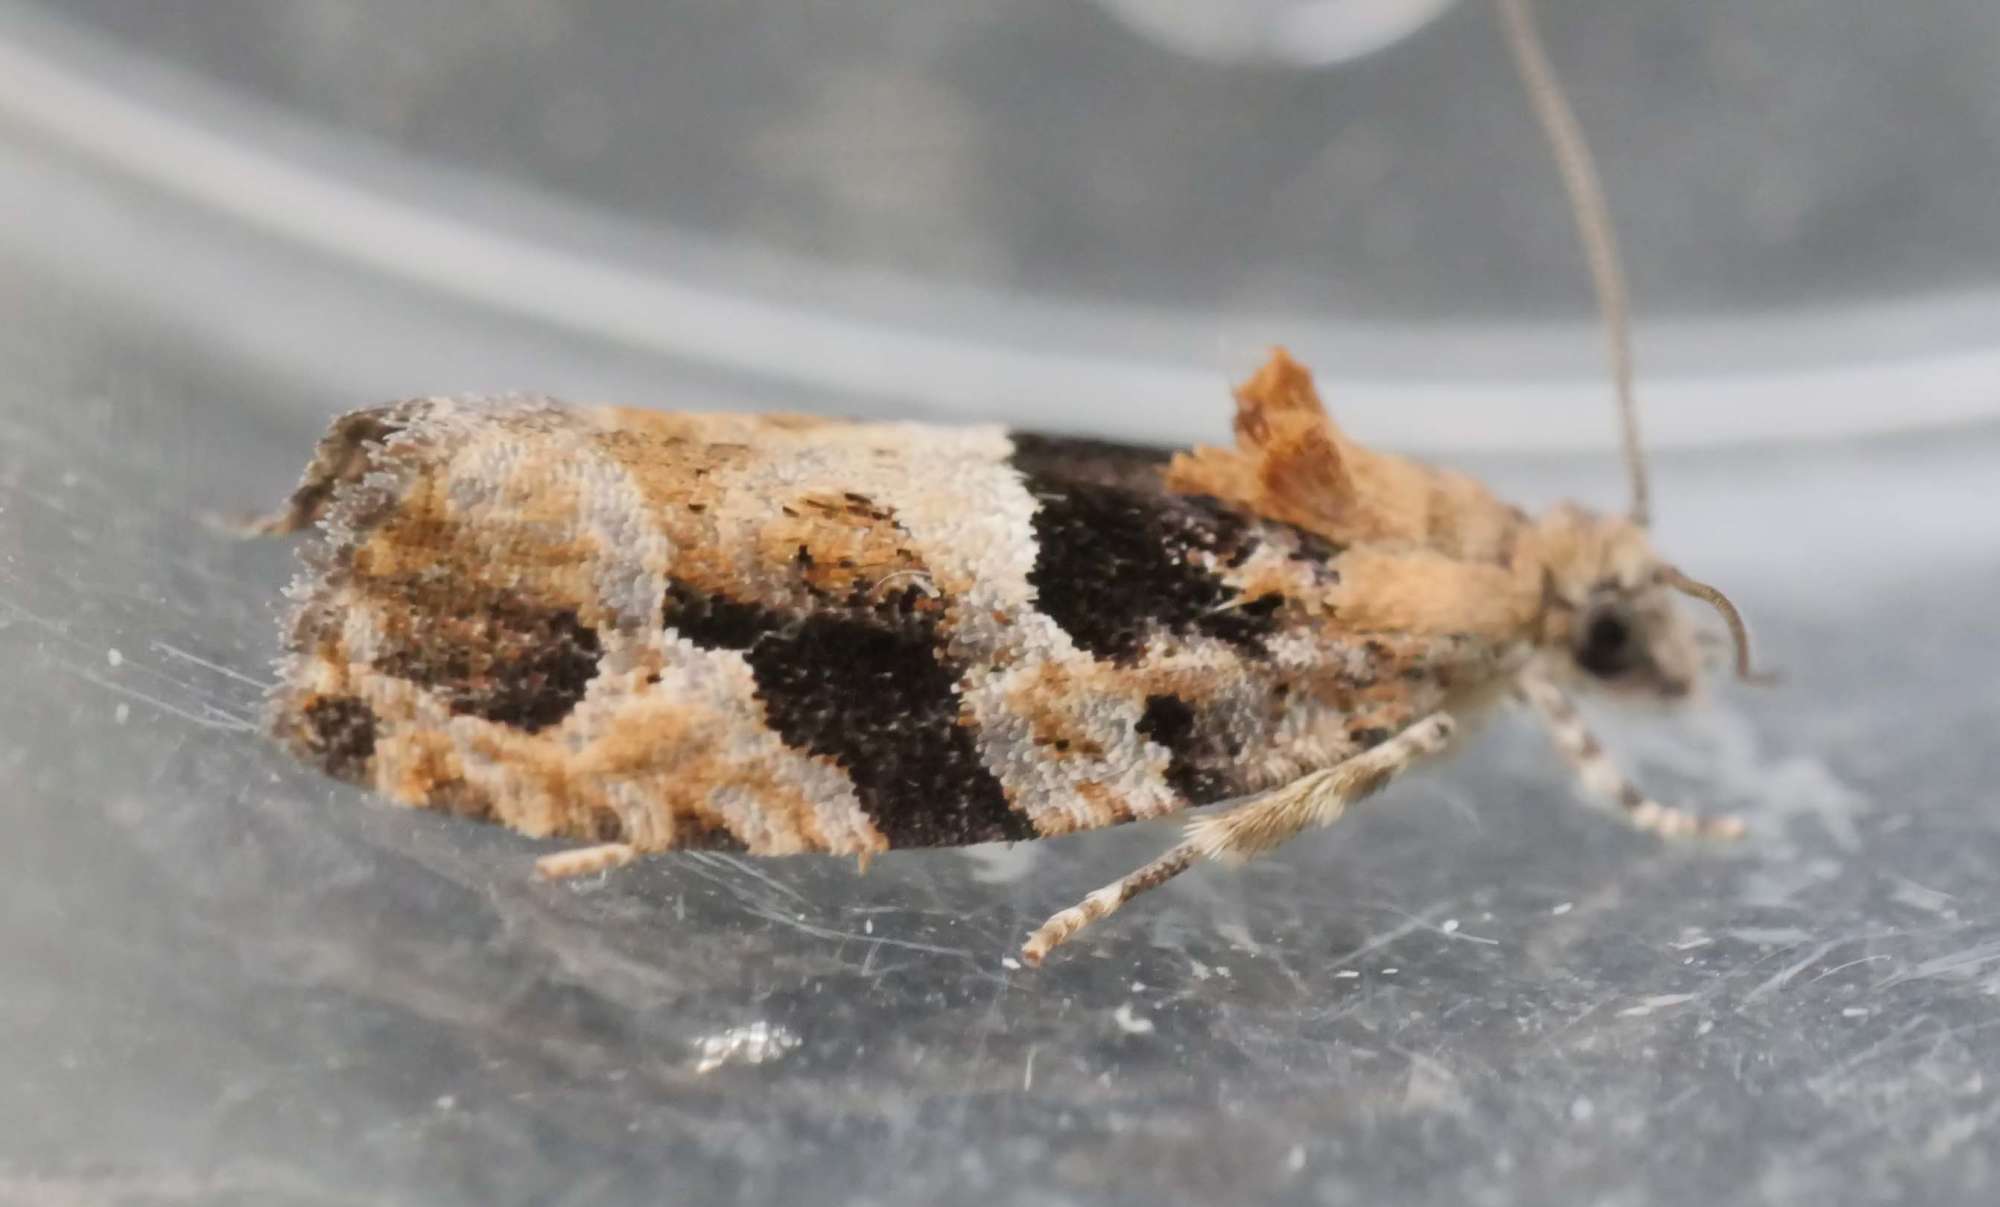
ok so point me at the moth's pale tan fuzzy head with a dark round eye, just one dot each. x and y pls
(1615, 616)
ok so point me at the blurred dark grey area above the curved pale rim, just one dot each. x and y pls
(1761, 157)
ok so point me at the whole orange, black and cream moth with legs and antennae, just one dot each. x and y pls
(645, 632)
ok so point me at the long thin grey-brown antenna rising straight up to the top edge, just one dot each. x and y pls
(1593, 227)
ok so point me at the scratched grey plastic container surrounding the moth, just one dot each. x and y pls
(227, 980)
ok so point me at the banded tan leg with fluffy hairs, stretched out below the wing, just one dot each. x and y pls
(1255, 826)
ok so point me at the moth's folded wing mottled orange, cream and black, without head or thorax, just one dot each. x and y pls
(785, 634)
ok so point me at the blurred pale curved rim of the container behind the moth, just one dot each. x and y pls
(905, 343)
